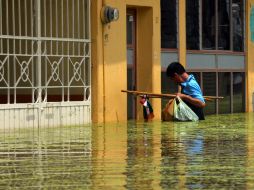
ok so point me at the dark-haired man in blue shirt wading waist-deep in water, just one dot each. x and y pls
(190, 90)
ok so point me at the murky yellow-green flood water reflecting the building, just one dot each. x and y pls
(217, 153)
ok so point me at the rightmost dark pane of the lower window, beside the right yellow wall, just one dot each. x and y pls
(238, 92)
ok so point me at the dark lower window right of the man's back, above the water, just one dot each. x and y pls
(230, 85)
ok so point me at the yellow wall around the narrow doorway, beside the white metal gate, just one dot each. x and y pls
(109, 59)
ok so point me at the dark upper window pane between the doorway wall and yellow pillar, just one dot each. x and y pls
(168, 24)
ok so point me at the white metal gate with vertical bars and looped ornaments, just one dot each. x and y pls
(45, 52)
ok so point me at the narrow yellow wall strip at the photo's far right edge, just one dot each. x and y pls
(250, 59)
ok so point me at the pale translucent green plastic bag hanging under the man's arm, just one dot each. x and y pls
(182, 112)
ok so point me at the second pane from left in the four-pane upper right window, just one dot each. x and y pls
(208, 24)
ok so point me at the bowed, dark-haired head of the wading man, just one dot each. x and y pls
(175, 71)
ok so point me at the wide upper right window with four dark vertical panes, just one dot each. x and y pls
(215, 25)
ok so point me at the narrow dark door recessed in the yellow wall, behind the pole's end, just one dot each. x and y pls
(131, 62)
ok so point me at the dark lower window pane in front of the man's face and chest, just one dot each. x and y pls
(167, 86)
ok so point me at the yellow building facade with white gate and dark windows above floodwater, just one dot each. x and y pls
(61, 65)
